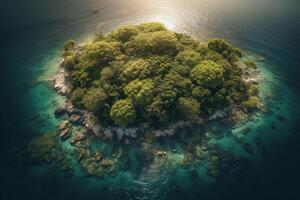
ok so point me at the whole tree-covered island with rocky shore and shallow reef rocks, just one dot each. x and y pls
(139, 83)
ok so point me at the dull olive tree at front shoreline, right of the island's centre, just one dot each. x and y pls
(188, 107)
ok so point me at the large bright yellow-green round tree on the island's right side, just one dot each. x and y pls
(208, 74)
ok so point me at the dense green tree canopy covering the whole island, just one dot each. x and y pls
(146, 73)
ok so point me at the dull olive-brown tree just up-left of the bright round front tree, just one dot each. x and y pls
(94, 99)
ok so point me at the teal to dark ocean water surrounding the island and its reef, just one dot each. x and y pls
(31, 37)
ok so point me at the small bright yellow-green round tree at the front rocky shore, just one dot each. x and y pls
(123, 112)
